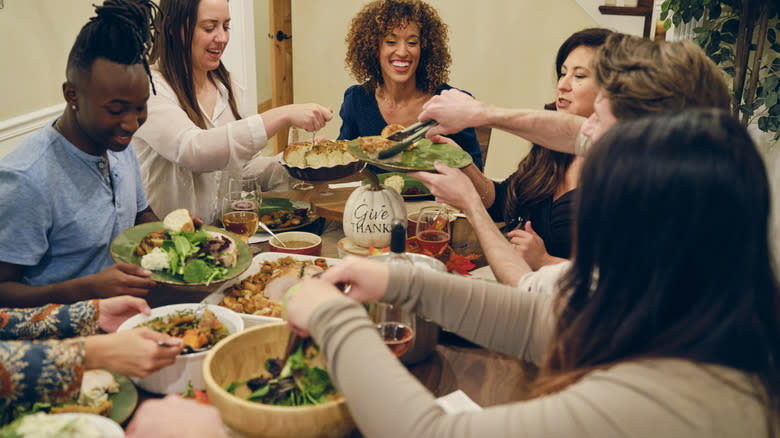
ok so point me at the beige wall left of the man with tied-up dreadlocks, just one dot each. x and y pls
(36, 36)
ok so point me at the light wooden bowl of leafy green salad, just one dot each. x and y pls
(258, 394)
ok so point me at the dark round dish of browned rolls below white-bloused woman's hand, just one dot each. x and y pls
(325, 161)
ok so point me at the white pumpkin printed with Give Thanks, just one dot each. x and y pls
(369, 214)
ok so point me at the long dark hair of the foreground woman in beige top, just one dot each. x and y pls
(672, 255)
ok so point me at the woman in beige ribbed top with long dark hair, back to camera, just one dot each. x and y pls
(666, 322)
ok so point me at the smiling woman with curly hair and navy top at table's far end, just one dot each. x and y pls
(397, 50)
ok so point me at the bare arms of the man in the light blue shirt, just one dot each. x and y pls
(118, 279)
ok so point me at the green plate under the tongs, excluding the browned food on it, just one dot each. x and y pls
(419, 158)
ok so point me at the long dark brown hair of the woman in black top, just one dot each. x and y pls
(540, 173)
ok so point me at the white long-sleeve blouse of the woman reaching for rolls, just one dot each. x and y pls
(180, 162)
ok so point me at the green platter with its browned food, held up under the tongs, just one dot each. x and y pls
(420, 156)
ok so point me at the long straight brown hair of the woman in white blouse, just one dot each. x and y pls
(172, 51)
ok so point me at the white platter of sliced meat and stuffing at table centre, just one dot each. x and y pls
(257, 294)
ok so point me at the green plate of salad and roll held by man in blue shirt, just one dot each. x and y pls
(182, 256)
